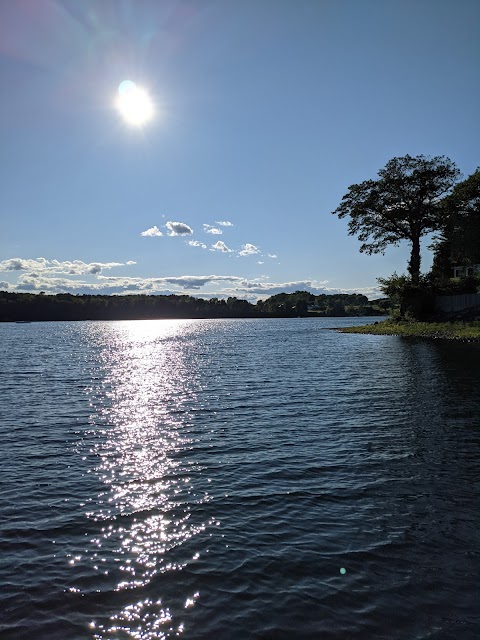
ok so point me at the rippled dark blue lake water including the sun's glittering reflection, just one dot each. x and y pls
(237, 479)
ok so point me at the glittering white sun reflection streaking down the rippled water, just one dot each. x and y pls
(141, 433)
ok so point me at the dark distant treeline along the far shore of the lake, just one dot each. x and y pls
(66, 306)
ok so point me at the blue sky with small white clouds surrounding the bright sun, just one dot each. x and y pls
(265, 112)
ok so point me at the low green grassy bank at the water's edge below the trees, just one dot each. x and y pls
(448, 330)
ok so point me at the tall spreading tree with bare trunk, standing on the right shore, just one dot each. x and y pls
(404, 203)
